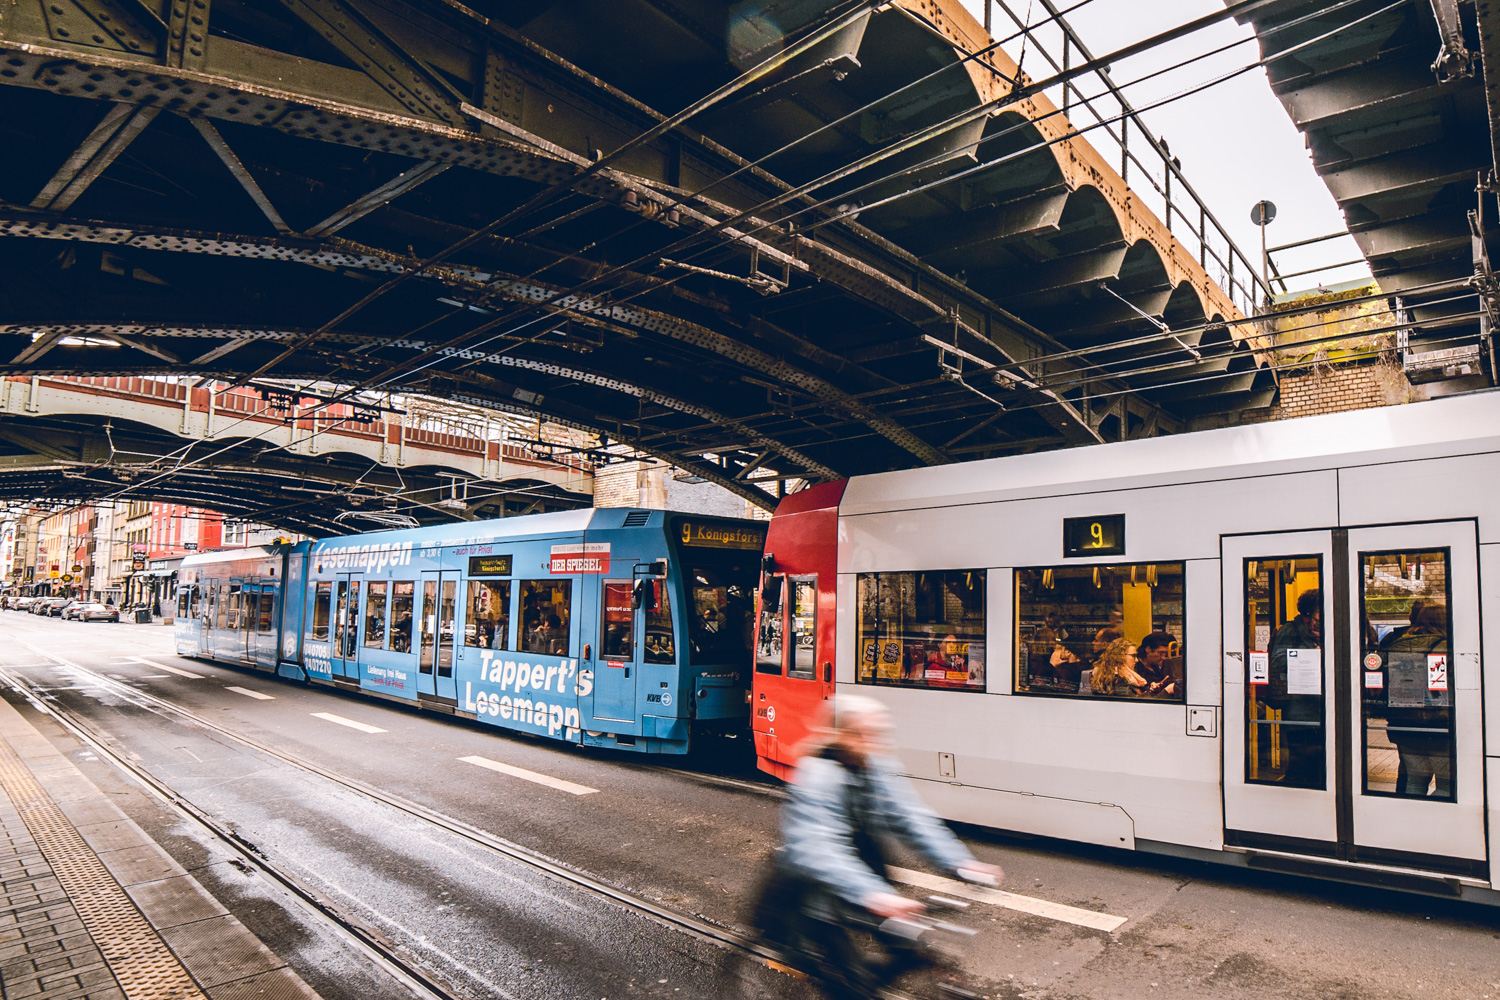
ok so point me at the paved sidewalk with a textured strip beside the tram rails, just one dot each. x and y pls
(92, 908)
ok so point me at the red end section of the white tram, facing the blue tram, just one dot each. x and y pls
(794, 669)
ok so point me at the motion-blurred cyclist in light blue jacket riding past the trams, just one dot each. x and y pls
(847, 806)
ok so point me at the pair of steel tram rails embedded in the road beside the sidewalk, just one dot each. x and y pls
(424, 983)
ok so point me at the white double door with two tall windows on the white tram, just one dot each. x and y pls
(1352, 704)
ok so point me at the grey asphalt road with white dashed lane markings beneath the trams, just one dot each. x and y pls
(668, 833)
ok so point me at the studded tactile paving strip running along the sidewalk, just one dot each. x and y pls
(142, 963)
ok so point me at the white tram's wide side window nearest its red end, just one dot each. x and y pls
(920, 630)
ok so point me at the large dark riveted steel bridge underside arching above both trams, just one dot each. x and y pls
(409, 194)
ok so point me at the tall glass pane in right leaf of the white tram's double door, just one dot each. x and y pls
(1408, 692)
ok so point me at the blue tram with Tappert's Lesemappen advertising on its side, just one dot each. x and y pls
(608, 627)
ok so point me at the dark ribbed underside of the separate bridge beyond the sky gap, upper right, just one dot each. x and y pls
(1399, 106)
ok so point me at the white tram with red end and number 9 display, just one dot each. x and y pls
(1307, 603)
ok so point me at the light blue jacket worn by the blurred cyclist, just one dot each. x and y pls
(838, 818)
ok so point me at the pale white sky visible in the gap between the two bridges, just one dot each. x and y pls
(1235, 140)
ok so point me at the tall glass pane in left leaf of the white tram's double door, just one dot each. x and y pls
(1285, 705)
